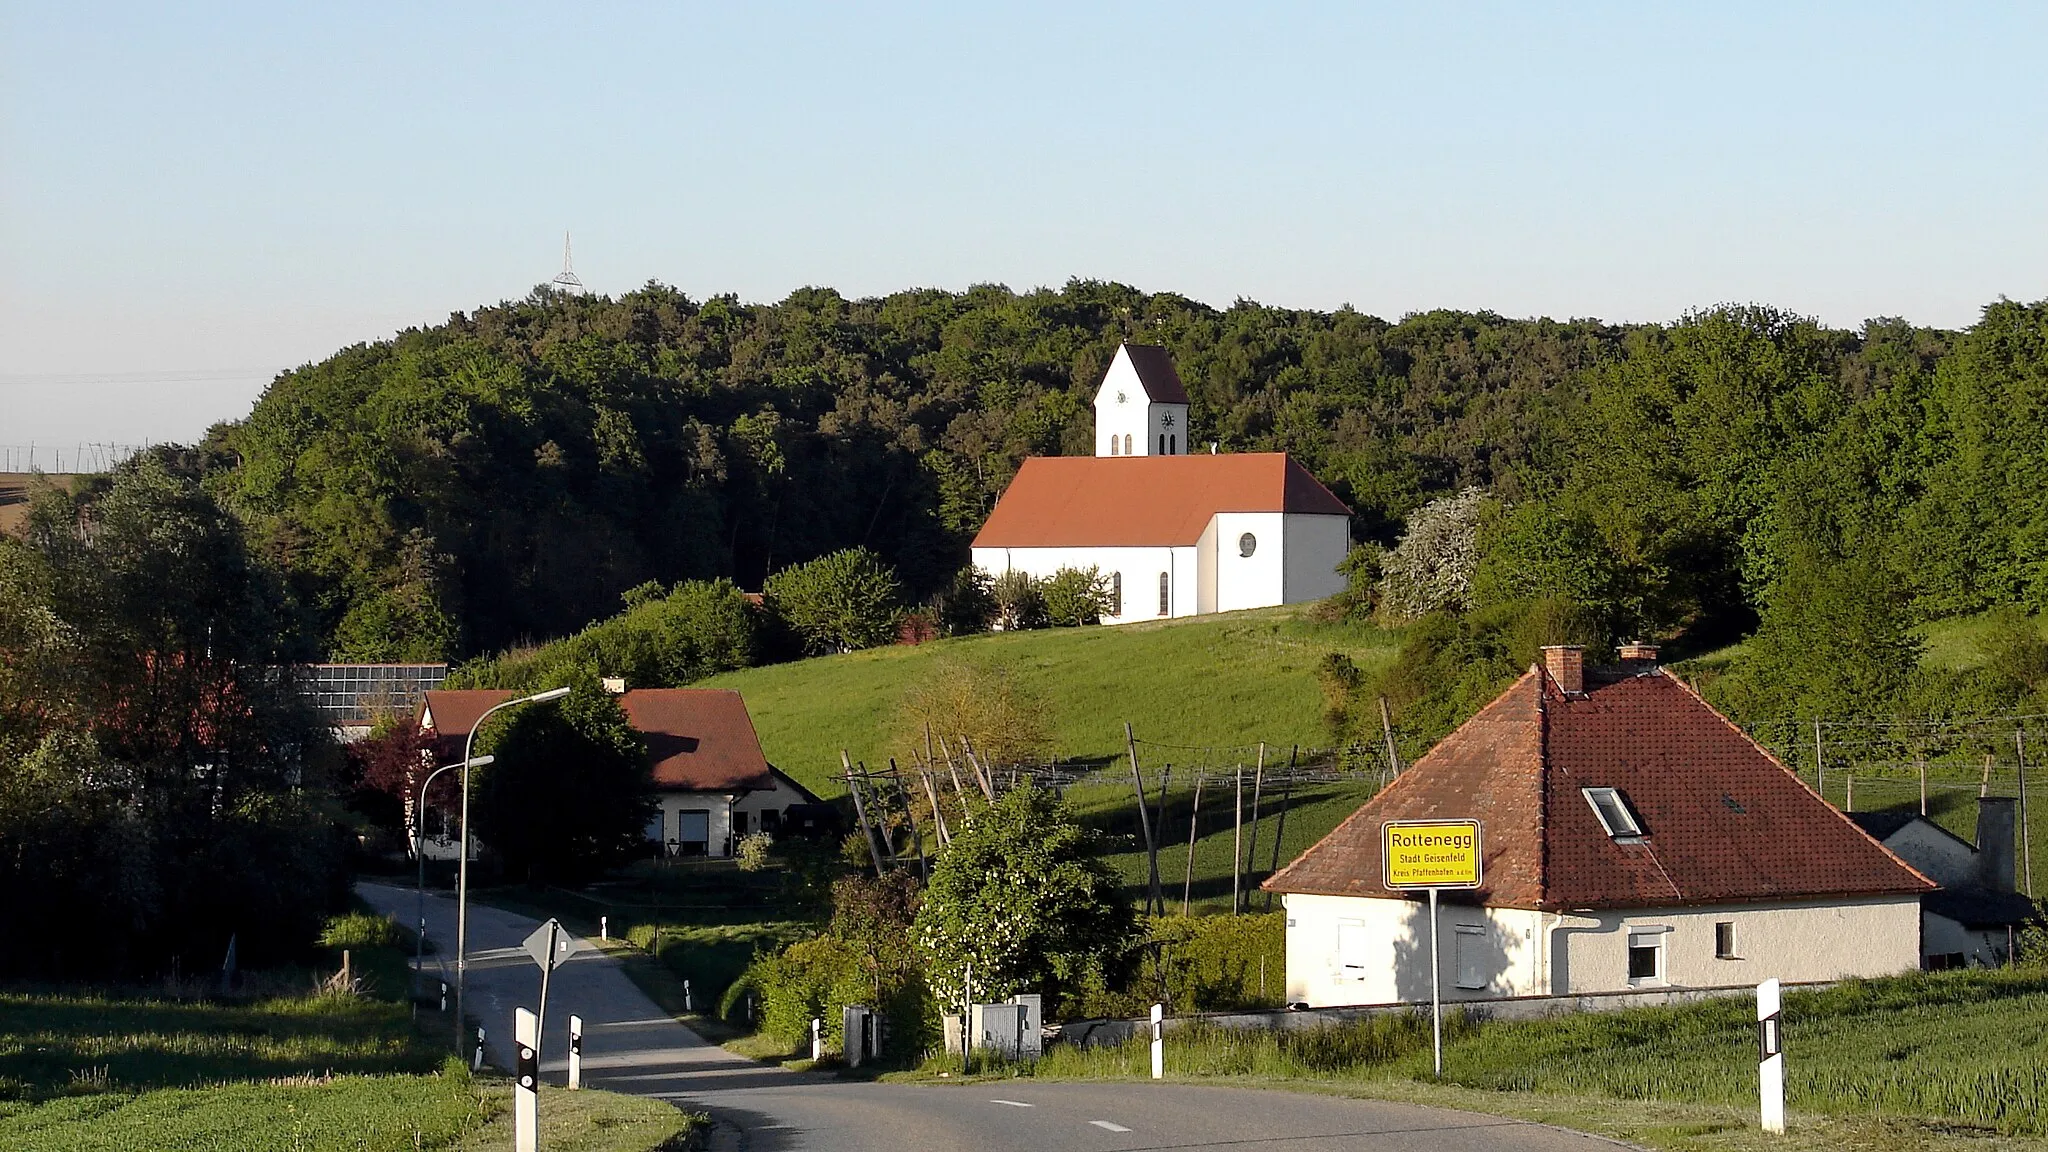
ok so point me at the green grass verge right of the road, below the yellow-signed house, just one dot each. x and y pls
(1897, 1063)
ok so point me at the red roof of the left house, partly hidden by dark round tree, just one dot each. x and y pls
(697, 739)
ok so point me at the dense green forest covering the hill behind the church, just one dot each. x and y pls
(509, 475)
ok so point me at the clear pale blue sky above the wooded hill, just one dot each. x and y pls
(196, 198)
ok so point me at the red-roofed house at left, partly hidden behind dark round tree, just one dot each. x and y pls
(710, 774)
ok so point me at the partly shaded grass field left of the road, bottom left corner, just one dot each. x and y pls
(310, 1071)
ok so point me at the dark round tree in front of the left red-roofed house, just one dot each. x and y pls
(570, 790)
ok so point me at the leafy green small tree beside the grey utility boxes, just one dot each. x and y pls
(1025, 901)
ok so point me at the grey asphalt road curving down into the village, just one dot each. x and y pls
(632, 1046)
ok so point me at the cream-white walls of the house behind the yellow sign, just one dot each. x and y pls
(1541, 954)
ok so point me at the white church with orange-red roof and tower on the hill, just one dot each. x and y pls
(1177, 534)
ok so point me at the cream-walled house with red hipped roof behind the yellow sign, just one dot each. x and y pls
(1635, 839)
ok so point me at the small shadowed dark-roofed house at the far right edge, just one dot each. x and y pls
(1977, 917)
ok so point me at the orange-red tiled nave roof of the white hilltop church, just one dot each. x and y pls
(1146, 501)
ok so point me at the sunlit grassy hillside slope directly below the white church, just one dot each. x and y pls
(1224, 682)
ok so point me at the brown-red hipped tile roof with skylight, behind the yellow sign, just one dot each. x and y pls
(1723, 821)
